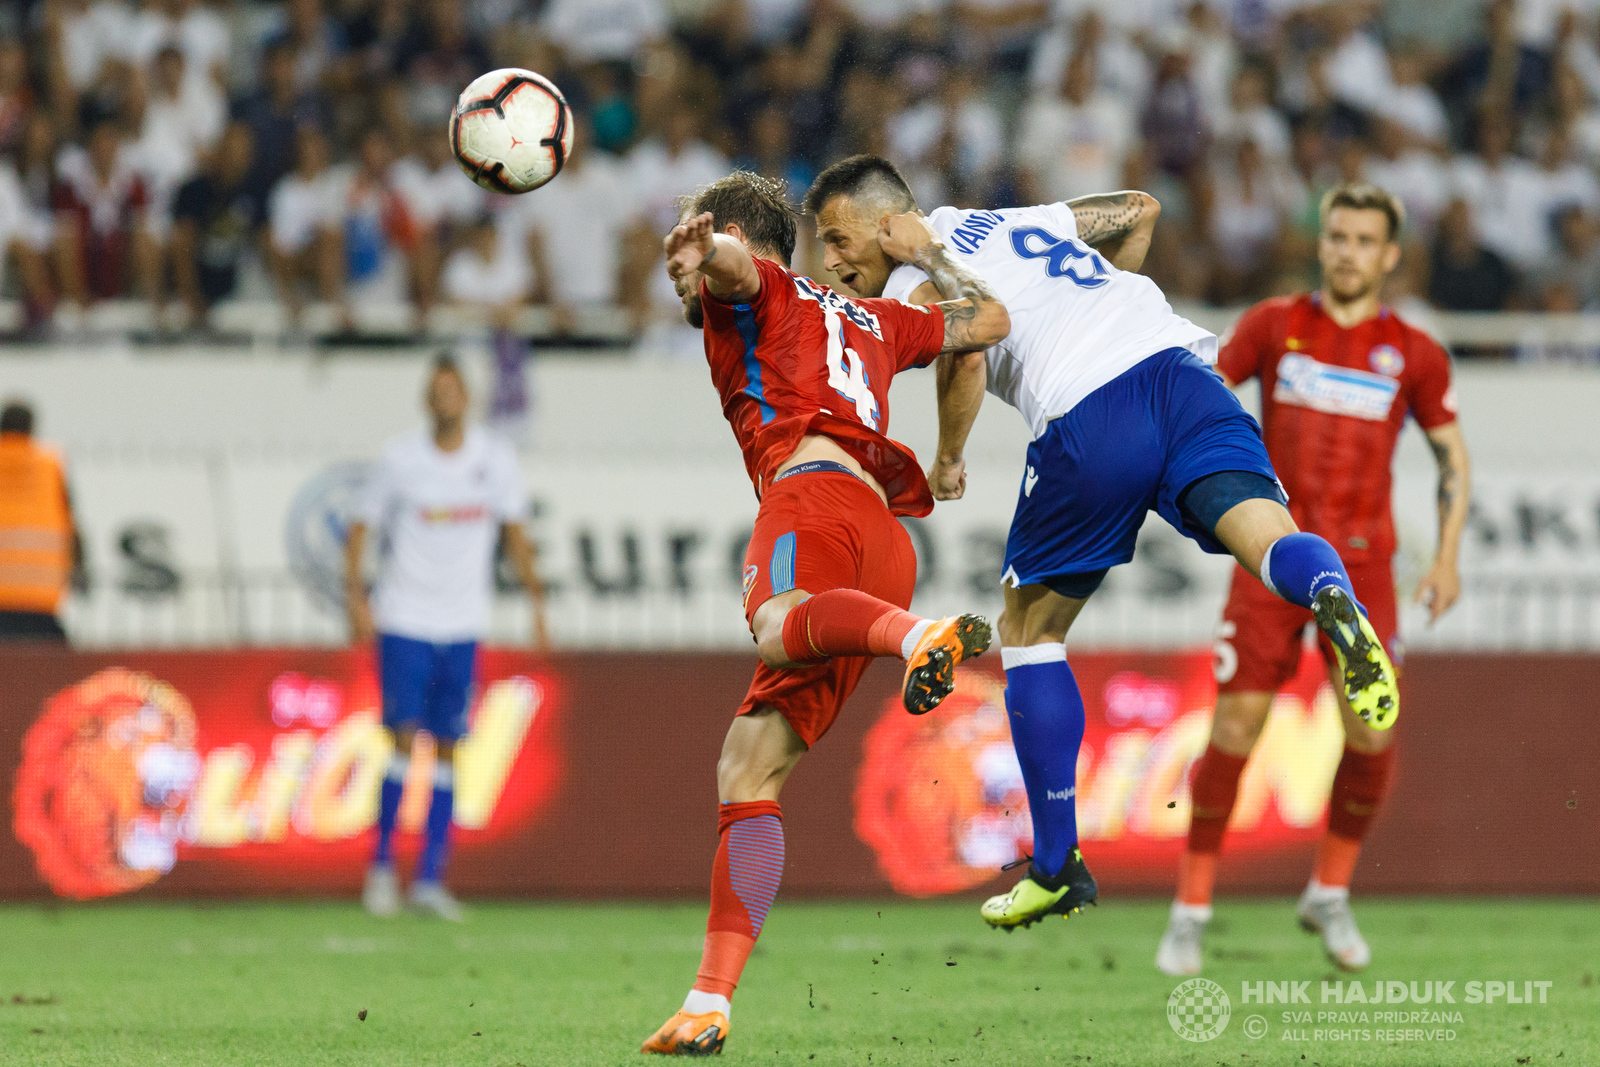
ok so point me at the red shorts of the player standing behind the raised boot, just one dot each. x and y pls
(1260, 641)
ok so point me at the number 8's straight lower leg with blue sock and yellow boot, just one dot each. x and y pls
(1046, 713)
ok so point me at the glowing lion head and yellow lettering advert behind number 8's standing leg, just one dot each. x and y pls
(942, 801)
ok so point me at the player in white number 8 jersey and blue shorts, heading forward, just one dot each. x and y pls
(1127, 418)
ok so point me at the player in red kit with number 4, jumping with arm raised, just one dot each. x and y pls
(804, 377)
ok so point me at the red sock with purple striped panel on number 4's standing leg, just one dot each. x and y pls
(743, 884)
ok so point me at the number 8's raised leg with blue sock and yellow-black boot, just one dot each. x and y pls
(1305, 570)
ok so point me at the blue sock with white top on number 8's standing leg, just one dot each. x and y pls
(1047, 727)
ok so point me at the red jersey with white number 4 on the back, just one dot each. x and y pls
(802, 359)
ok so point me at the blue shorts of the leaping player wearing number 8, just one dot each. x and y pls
(1130, 447)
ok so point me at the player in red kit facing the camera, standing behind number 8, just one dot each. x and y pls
(1340, 374)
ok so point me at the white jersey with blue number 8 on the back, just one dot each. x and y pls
(1078, 322)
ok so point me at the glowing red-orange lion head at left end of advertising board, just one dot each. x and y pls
(105, 781)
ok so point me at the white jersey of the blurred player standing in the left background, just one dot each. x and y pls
(439, 518)
